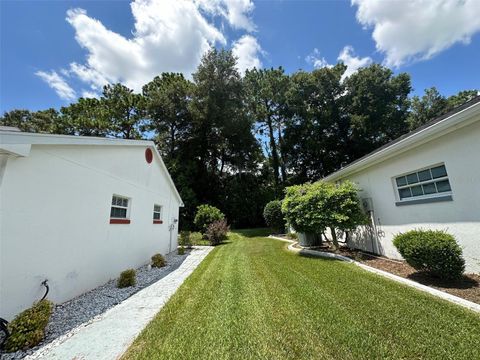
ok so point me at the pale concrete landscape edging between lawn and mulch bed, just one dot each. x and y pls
(432, 291)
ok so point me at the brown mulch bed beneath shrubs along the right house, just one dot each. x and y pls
(467, 287)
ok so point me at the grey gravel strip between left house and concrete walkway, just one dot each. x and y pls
(83, 308)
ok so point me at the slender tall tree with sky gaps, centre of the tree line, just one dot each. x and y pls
(265, 91)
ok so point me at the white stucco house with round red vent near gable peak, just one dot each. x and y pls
(77, 211)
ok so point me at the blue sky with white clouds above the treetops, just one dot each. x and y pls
(52, 52)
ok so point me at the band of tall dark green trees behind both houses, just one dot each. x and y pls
(235, 142)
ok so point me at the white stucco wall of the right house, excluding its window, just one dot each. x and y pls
(460, 151)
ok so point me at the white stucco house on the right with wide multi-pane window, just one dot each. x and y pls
(428, 179)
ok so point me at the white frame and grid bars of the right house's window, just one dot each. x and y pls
(414, 199)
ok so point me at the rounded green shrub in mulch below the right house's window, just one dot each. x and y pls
(435, 252)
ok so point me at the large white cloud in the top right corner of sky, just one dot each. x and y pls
(413, 30)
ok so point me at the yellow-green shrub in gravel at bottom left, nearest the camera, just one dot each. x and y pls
(28, 327)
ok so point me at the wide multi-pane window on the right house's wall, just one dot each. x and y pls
(425, 185)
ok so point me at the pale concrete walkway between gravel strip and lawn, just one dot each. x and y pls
(110, 334)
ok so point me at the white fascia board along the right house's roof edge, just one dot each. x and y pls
(455, 121)
